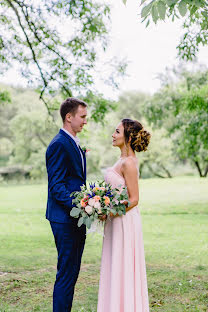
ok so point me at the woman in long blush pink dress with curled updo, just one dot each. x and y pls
(123, 283)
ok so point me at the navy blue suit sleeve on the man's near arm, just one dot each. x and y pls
(56, 163)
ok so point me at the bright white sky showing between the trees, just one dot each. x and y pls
(148, 50)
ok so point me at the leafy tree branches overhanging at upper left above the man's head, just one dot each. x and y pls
(52, 60)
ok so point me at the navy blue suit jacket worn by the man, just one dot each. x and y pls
(65, 175)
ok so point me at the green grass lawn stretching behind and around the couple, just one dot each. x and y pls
(175, 228)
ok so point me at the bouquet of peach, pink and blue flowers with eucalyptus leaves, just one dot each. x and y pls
(98, 199)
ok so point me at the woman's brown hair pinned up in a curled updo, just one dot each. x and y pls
(134, 130)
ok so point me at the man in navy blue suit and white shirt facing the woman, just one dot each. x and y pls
(66, 167)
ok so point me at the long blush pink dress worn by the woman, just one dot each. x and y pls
(123, 282)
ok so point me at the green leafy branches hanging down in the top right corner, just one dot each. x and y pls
(195, 24)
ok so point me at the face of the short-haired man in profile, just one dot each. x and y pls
(79, 119)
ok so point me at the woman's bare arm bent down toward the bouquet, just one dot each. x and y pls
(129, 172)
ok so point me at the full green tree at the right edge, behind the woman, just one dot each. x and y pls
(182, 108)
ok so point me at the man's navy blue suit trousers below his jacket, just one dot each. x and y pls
(69, 240)
